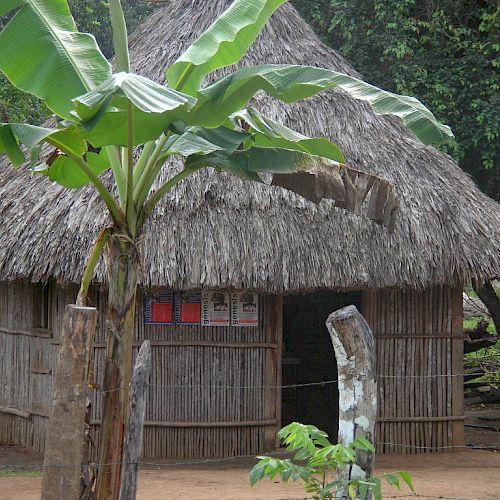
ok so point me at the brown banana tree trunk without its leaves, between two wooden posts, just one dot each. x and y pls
(123, 268)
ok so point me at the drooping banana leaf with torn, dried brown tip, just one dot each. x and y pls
(298, 163)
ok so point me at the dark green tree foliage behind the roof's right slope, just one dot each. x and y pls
(445, 52)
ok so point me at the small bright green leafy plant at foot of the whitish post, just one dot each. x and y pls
(315, 462)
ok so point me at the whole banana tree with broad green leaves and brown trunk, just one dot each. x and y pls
(117, 121)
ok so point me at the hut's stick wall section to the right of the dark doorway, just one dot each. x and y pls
(419, 355)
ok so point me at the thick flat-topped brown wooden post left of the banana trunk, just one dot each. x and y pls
(66, 428)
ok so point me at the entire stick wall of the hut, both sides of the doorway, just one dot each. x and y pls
(211, 403)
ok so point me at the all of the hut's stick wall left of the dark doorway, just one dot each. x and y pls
(206, 397)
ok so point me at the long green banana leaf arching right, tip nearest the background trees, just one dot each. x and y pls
(291, 83)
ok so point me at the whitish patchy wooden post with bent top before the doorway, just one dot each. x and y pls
(354, 348)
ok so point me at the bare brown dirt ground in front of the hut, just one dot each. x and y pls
(462, 475)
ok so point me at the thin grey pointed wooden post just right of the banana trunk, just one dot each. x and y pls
(133, 439)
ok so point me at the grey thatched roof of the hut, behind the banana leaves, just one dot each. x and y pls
(217, 231)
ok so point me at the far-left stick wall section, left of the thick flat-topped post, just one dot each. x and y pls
(26, 364)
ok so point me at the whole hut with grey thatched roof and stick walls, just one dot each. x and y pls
(215, 231)
